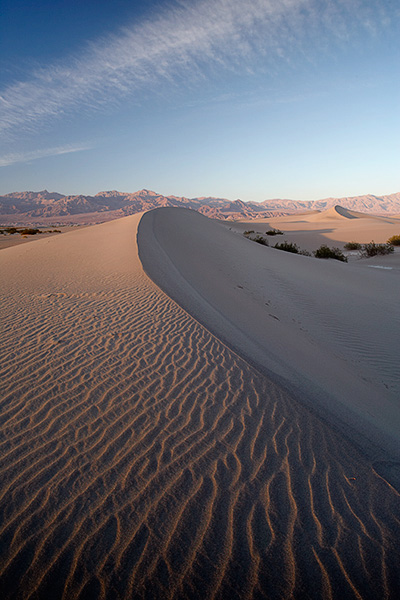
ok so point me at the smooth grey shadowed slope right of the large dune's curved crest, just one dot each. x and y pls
(329, 330)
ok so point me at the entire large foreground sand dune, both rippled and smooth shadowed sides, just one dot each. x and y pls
(225, 429)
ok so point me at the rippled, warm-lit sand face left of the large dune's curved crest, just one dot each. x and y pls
(140, 458)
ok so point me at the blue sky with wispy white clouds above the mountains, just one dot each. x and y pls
(249, 99)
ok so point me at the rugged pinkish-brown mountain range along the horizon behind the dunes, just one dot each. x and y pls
(51, 207)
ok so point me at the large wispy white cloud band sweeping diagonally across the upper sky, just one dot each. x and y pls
(184, 41)
